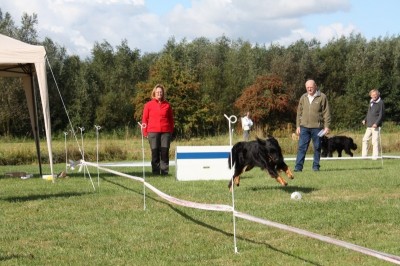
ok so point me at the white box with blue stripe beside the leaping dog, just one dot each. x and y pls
(202, 163)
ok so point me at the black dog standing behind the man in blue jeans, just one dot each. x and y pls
(337, 143)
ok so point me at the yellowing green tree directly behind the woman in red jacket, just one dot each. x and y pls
(193, 114)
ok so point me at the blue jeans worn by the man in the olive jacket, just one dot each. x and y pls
(306, 135)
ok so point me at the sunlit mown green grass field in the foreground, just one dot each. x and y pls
(68, 223)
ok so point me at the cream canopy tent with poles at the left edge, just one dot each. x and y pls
(19, 59)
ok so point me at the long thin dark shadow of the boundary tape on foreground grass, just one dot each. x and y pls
(213, 228)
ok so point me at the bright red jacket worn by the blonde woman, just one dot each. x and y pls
(158, 117)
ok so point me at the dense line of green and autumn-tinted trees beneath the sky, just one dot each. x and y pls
(204, 79)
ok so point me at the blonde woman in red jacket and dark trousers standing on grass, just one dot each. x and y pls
(159, 120)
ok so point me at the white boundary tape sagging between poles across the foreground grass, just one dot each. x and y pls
(226, 208)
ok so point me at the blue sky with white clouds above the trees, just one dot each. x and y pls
(148, 24)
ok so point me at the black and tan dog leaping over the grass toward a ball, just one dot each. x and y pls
(266, 154)
